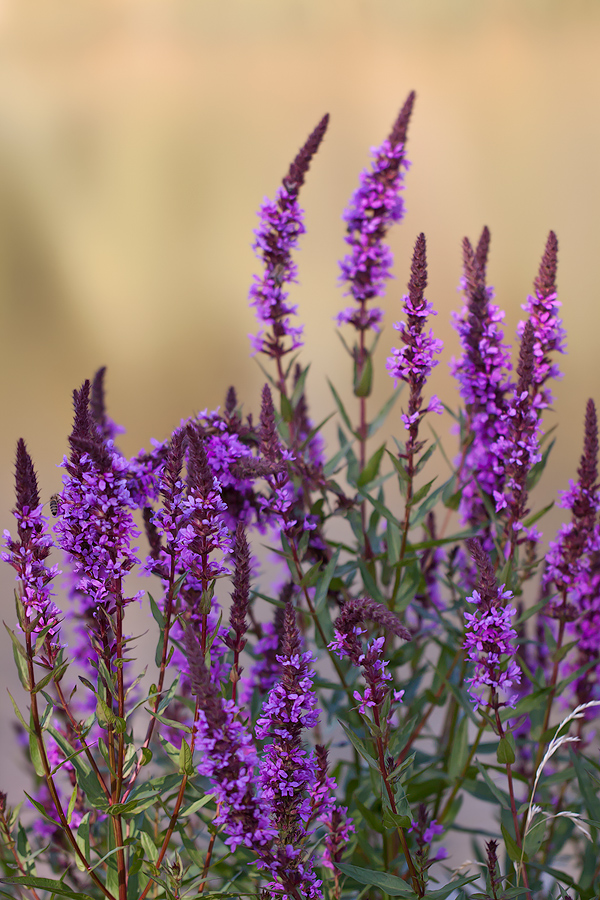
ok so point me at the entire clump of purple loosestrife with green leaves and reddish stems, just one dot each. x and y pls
(292, 738)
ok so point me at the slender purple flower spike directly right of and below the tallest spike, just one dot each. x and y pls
(414, 362)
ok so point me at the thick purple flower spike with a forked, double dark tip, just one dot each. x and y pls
(482, 374)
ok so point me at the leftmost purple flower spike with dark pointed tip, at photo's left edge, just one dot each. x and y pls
(28, 554)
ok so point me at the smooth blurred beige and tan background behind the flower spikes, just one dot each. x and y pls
(138, 138)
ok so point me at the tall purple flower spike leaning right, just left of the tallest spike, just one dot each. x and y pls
(281, 224)
